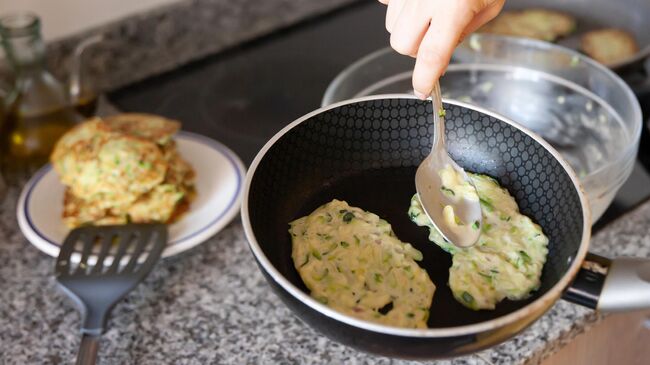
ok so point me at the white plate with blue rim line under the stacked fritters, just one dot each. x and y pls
(219, 177)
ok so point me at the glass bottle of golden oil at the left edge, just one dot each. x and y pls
(37, 110)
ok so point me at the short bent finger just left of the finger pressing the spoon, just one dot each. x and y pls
(409, 28)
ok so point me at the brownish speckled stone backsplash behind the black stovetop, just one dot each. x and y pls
(161, 39)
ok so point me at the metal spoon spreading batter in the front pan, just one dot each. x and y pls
(464, 229)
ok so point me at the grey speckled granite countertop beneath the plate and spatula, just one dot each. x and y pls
(212, 305)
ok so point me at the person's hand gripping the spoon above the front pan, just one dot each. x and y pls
(429, 30)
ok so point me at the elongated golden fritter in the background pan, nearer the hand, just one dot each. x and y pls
(543, 24)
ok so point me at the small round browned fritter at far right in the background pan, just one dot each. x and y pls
(609, 46)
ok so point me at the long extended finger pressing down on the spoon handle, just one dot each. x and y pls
(437, 46)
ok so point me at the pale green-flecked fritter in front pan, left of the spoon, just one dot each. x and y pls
(351, 261)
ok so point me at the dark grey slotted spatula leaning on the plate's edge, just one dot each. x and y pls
(126, 254)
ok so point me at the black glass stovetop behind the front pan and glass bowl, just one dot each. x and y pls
(244, 95)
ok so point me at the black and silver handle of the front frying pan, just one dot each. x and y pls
(621, 284)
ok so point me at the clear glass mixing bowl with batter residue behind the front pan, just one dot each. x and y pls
(582, 108)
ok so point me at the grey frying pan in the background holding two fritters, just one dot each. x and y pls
(630, 15)
